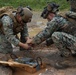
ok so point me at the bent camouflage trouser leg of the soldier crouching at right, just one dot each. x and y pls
(66, 43)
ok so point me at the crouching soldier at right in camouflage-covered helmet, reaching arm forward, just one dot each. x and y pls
(62, 30)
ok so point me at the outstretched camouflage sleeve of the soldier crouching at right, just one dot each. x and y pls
(53, 25)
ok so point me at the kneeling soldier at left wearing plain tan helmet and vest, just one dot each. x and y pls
(11, 23)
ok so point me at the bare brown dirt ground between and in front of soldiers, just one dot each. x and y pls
(50, 55)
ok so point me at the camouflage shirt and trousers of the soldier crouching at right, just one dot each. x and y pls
(60, 25)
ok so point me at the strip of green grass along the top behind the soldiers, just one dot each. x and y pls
(34, 4)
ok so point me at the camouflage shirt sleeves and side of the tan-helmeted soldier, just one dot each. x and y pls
(9, 37)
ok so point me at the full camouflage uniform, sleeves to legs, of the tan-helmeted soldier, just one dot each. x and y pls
(7, 39)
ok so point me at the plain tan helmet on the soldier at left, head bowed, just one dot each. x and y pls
(25, 13)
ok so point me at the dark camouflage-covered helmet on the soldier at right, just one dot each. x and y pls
(51, 7)
